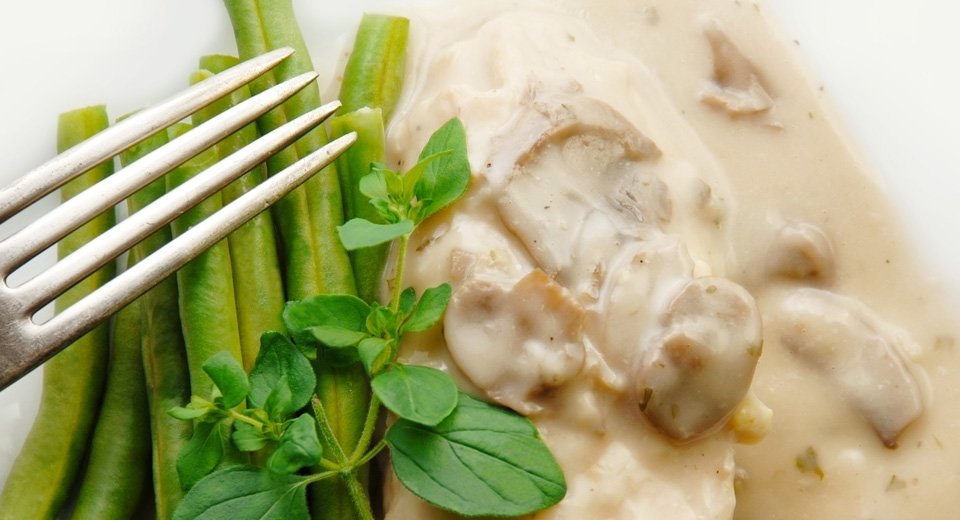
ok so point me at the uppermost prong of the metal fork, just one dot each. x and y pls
(54, 173)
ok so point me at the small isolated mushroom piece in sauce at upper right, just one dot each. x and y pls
(736, 86)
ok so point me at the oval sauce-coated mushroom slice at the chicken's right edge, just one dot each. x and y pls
(698, 370)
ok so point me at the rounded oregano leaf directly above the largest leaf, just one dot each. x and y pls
(420, 394)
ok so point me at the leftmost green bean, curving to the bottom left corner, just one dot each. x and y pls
(47, 466)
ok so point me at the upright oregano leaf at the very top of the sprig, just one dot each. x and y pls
(446, 178)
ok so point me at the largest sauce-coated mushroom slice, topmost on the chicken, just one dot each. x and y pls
(585, 168)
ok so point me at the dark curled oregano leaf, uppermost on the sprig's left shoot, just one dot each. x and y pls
(282, 379)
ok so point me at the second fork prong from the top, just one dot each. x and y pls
(45, 231)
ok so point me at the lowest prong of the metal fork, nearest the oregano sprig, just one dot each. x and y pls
(47, 339)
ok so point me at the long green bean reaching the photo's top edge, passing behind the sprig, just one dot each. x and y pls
(261, 25)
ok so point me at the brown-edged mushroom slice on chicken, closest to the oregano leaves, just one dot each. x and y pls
(515, 342)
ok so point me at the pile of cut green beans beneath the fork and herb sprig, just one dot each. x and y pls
(103, 432)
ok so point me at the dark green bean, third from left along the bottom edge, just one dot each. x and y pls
(164, 354)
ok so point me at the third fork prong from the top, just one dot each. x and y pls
(43, 288)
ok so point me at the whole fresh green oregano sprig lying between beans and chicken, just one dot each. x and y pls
(449, 449)
